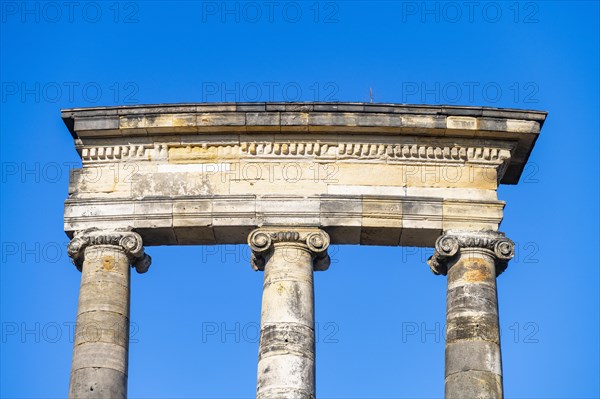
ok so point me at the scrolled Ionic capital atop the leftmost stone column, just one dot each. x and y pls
(127, 240)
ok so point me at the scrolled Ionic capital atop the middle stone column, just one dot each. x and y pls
(262, 241)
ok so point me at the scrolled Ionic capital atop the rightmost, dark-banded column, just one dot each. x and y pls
(449, 245)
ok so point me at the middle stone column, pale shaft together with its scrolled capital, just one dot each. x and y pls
(286, 355)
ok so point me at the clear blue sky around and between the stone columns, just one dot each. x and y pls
(380, 311)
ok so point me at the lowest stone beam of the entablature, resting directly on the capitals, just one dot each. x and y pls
(227, 219)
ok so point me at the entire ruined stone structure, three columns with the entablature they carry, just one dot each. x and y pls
(288, 179)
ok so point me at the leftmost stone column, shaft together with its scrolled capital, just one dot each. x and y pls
(100, 352)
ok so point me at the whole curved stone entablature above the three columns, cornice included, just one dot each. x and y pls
(377, 174)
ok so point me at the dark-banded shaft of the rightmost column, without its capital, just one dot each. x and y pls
(473, 363)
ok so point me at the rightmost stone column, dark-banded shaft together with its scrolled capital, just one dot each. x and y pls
(472, 260)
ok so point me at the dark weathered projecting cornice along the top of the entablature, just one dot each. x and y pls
(512, 125)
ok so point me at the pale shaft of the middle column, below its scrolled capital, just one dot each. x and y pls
(286, 360)
